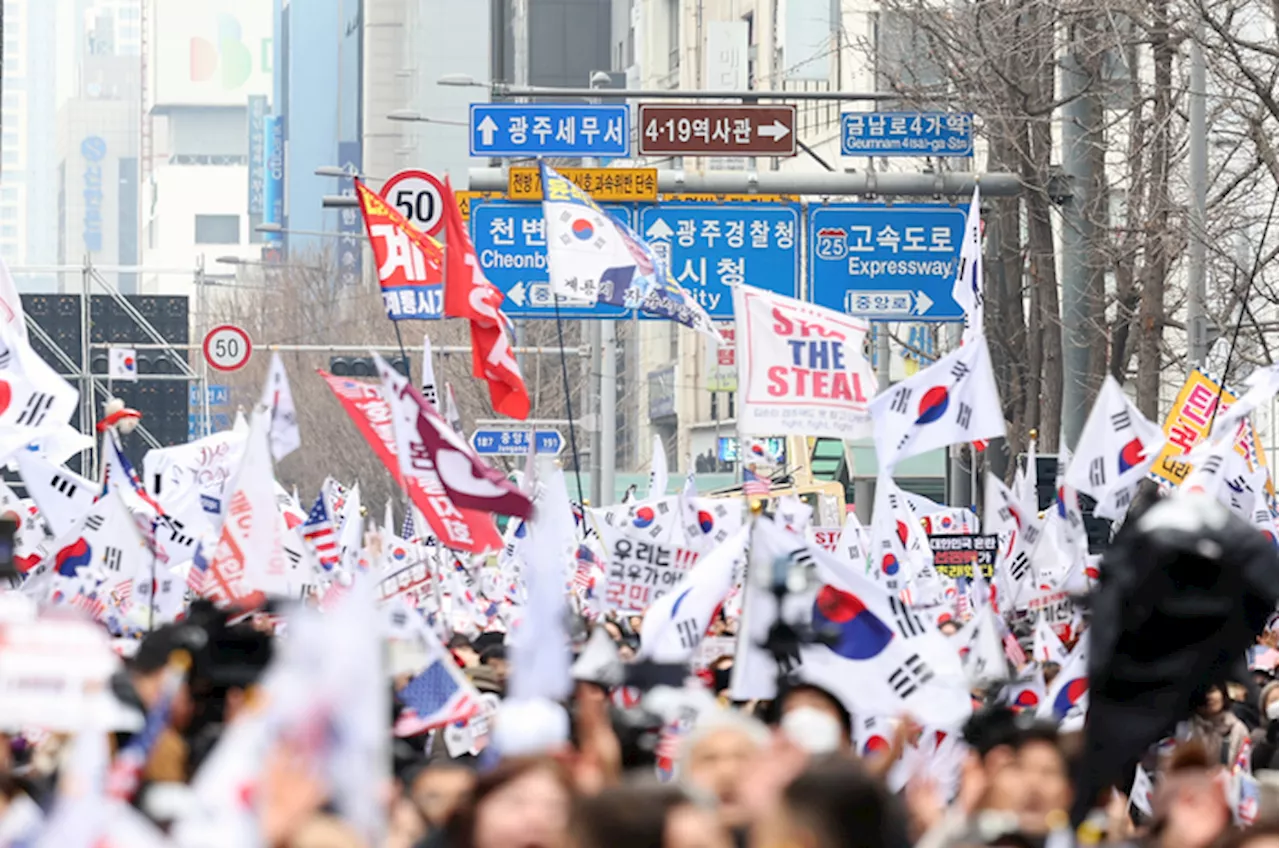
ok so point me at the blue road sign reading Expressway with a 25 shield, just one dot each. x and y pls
(886, 263)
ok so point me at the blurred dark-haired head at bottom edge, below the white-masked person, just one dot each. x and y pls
(835, 804)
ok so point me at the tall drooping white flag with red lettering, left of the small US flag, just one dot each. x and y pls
(250, 555)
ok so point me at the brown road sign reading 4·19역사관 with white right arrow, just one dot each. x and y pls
(694, 130)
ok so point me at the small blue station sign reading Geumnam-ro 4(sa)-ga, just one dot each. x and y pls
(907, 134)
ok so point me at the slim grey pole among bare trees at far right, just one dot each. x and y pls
(1197, 330)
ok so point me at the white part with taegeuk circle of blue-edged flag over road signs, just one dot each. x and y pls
(584, 243)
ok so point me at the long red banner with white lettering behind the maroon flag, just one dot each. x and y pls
(459, 530)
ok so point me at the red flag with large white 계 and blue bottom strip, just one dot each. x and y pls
(410, 265)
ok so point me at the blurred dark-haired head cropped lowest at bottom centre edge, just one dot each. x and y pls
(646, 817)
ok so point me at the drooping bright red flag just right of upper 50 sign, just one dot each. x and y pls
(468, 294)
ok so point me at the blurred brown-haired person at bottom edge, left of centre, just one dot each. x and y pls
(524, 803)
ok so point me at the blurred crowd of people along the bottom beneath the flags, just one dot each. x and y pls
(787, 773)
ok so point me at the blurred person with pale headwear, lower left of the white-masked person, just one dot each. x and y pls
(714, 756)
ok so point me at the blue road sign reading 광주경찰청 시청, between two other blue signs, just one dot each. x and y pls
(714, 247)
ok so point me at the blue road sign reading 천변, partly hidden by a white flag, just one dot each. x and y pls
(511, 244)
